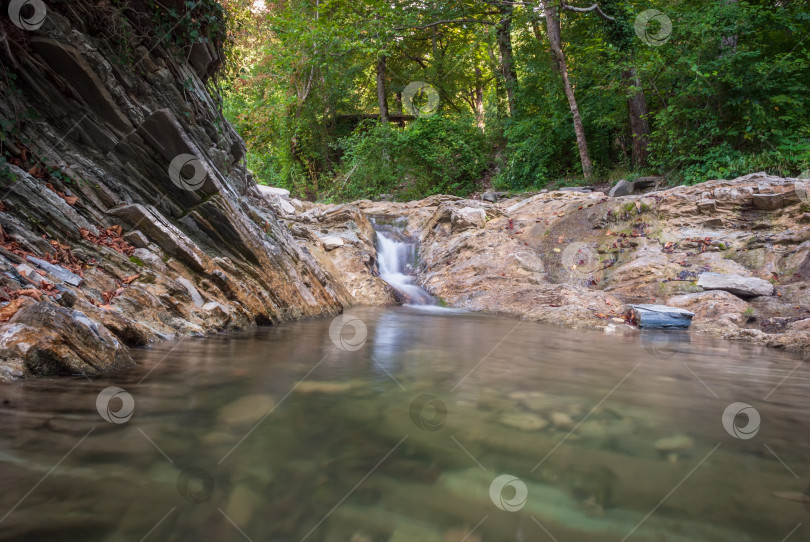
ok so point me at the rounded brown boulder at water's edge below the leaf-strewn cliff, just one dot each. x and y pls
(46, 339)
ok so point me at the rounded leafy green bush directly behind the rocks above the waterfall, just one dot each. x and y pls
(429, 156)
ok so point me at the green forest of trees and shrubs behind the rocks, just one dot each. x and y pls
(530, 94)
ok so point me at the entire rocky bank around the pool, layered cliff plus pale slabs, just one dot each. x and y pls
(127, 215)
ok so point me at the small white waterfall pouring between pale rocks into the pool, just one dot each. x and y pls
(397, 257)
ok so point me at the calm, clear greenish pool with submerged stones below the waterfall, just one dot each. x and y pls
(280, 435)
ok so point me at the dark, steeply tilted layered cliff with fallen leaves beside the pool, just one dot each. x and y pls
(126, 208)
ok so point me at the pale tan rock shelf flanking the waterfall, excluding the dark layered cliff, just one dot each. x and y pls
(733, 252)
